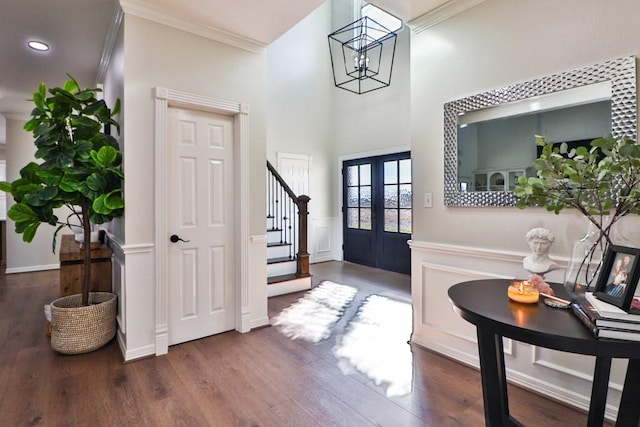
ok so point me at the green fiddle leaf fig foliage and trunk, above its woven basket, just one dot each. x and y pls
(79, 167)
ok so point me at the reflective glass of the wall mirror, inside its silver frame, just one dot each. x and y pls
(485, 165)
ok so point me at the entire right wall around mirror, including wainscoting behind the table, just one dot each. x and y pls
(492, 45)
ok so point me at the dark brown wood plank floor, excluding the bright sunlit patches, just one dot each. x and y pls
(256, 379)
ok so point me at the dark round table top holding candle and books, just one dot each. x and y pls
(485, 304)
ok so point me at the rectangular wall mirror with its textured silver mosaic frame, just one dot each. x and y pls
(489, 137)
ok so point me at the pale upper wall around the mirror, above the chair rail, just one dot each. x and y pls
(467, 55)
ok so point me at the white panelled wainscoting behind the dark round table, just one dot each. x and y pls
(436, 267)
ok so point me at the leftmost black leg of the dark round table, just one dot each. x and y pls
(494, 380)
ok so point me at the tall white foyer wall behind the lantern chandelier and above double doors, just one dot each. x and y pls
(307, 114)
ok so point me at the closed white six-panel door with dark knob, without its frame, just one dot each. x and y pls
(200, 265)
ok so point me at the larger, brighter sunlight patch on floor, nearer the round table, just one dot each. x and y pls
(376, 344)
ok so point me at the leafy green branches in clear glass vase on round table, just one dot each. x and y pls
(600, 181)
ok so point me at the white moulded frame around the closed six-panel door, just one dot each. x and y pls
(163, 98)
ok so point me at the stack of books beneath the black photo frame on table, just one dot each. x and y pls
(605, 320)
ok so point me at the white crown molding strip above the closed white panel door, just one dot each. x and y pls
(132, 7)
